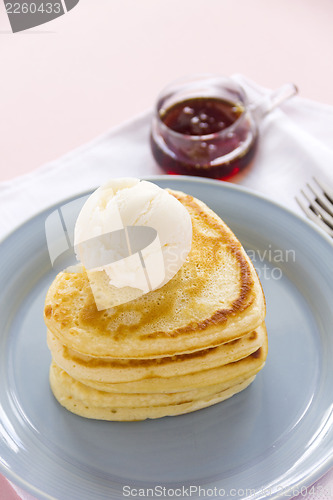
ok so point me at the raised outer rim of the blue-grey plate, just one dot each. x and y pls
(311, 477)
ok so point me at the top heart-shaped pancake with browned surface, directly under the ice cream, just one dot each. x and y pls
(215, 297)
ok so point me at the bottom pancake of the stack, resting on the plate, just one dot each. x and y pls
(90, 403)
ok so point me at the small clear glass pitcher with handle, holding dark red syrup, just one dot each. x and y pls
(205, 126)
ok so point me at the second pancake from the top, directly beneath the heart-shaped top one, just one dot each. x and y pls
(127, 370)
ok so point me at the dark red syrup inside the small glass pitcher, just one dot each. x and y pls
(203, 149)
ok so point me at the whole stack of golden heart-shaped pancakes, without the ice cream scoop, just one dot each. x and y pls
(196, 341)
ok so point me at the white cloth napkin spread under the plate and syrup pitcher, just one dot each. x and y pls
(296, 143)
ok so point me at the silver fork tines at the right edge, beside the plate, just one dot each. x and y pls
(319, 205)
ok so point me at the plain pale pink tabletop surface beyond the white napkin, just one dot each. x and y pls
(65, 82)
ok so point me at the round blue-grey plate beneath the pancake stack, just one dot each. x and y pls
(267, 442)
